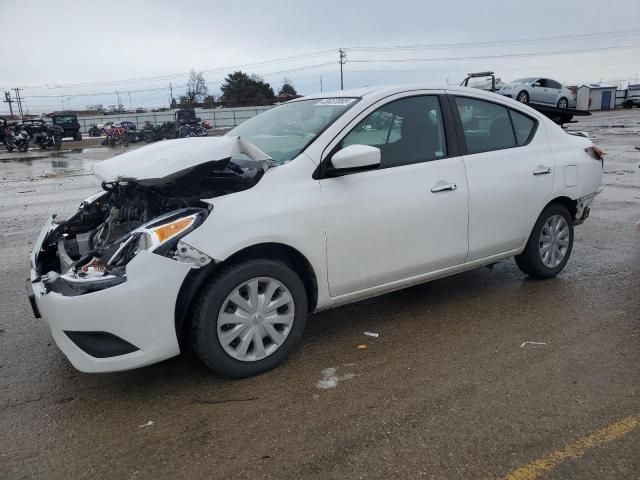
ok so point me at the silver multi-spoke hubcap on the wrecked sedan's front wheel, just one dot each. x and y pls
(255, 319)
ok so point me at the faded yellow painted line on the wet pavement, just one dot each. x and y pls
(577, 449)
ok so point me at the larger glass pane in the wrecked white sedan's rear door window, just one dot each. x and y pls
(486, 125)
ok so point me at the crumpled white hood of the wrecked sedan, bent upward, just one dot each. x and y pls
(162, 161)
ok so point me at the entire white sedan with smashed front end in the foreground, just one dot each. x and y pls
(232, 241)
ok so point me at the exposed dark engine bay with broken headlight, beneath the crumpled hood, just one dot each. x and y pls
(90, 250)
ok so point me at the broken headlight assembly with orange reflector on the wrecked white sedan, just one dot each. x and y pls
(105, 266)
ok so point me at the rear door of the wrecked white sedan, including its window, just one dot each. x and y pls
(509, 170)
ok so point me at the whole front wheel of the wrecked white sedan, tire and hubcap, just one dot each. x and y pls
(215, 296)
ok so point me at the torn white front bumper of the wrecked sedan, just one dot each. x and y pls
(139, 312)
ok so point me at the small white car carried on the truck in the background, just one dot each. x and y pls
(544, 91)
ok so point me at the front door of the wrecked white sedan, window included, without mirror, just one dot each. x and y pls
(406, 218)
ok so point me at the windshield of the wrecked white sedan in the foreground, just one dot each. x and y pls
(284, 131)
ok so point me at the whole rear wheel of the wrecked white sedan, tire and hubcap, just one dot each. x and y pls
(531, 260)
